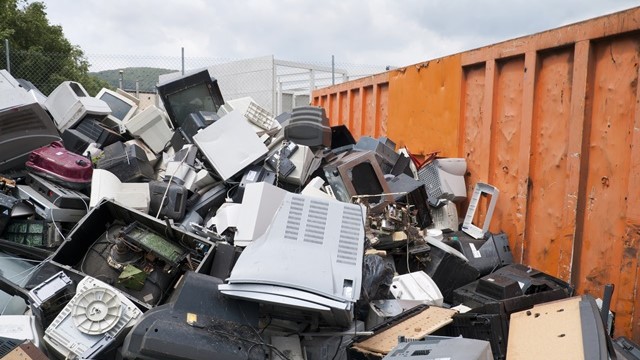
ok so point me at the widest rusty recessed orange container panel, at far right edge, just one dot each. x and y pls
(609, 245)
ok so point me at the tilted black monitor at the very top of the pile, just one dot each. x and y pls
(188, 94)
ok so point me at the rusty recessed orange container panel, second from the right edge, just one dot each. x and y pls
(544, 238)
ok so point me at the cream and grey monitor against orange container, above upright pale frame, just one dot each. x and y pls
(444, 179)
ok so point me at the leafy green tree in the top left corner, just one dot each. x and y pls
(39, 50)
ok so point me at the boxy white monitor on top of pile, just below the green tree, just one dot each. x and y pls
(69, 103)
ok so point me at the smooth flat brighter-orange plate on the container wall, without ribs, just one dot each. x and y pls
(424, 106)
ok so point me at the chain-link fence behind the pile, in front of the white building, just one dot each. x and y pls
(276, 84)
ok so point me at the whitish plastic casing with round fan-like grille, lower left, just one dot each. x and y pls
(97, 311)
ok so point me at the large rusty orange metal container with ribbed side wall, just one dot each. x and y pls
(552, 120)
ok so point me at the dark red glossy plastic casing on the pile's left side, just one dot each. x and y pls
(57, 164)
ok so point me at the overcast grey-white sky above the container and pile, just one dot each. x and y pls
(374, 32)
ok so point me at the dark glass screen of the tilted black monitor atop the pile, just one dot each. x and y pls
(190, 100)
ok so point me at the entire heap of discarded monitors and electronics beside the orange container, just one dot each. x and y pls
(202, 228)
